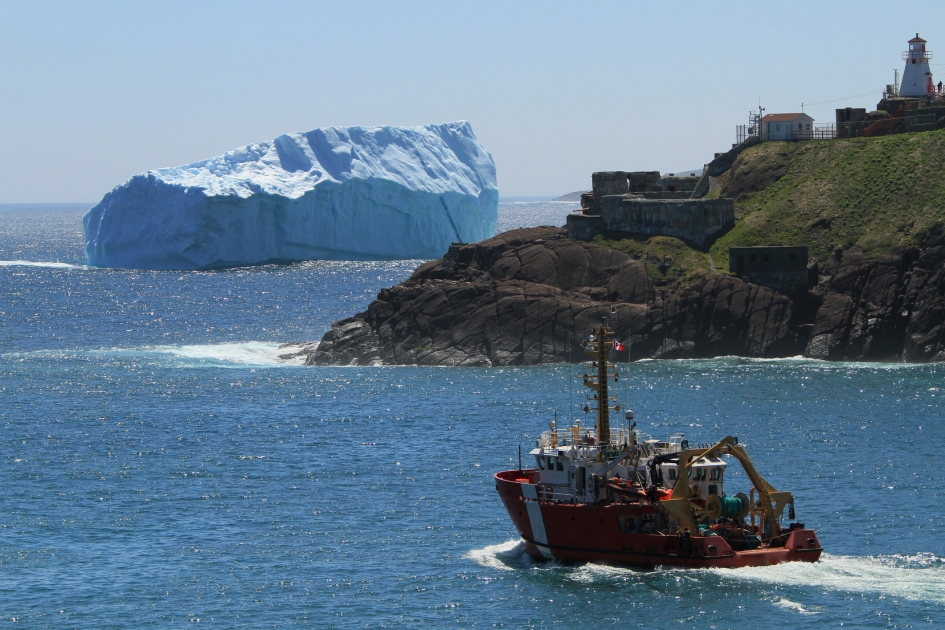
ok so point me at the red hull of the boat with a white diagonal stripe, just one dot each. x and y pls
(574, 532)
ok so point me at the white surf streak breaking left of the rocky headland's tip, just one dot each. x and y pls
(250, 354)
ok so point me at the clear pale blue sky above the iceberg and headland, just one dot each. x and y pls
(92, 93)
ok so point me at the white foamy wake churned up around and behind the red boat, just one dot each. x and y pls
(919, 578)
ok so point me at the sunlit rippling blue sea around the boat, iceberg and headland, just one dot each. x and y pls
(161, 467)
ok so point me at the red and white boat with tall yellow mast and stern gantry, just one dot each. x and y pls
(616, 496)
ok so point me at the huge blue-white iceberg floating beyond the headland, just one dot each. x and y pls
(336, 193)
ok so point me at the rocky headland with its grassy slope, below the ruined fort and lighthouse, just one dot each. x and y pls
(869, 210)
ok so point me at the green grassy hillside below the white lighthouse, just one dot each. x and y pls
(877, 193)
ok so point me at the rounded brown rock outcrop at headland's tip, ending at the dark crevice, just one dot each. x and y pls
(528, 296)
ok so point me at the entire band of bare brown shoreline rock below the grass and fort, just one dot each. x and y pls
(527, 296)
